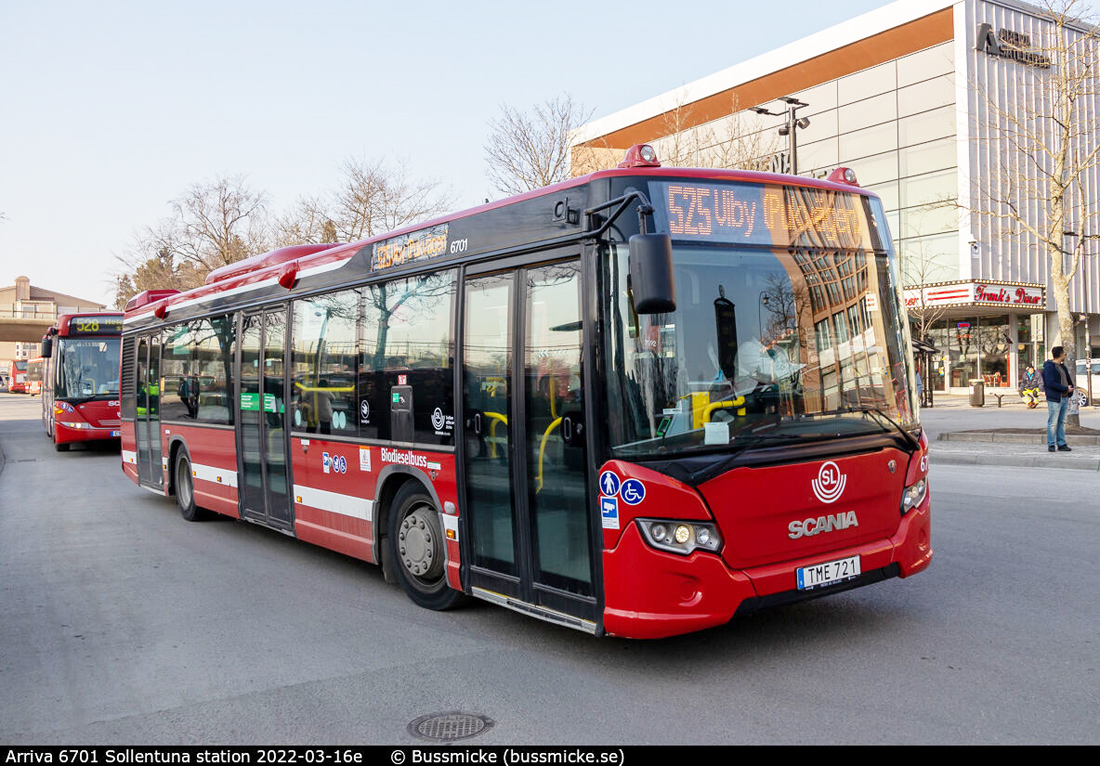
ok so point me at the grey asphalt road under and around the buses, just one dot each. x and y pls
(122, 623)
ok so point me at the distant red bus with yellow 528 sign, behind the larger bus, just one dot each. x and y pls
(81, 379)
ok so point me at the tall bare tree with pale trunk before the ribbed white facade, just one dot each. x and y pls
(1040, 190)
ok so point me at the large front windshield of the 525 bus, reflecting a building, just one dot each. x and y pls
(766, 346)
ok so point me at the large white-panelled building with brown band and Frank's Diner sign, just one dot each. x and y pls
(919, 99)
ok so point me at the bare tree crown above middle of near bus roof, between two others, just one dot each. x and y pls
(375, 198)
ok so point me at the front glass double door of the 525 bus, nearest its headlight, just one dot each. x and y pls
(525, 467)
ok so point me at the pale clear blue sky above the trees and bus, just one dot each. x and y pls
(111, 110)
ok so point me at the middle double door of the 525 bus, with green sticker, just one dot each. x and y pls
(262, 436)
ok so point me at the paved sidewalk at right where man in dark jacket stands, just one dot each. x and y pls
(1010, 435)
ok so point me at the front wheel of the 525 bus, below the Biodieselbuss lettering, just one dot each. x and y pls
(420, 550)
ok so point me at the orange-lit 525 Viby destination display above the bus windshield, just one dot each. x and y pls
(754, 214)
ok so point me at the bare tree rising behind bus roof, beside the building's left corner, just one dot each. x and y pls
(529, 151)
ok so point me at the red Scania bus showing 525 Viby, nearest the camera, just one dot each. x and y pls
(640, 403)
